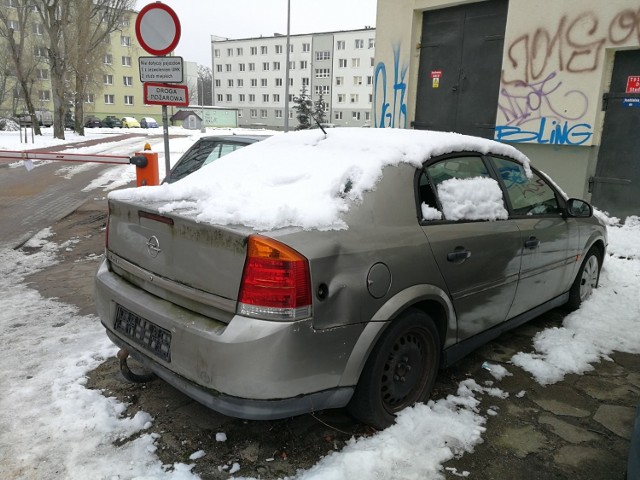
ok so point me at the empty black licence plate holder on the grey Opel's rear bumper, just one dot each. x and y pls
(153, 338)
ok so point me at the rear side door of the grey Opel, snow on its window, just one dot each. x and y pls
(478, 257)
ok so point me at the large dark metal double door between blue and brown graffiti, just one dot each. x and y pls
(460, 65)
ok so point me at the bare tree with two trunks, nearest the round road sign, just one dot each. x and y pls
(76, 28)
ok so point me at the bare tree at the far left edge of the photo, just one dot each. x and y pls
(15, 31)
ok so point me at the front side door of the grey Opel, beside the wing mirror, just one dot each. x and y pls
(549, 241)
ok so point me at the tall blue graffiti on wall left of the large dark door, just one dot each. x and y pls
(390, 113)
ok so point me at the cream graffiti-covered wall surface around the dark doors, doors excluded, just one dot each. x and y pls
(557, 63)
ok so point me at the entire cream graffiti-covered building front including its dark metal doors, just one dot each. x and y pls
(559, 81)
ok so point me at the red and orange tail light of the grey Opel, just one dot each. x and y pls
(276, 284)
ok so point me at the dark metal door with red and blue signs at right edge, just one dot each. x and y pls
(616, 185)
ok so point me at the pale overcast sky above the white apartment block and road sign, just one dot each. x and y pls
(199, 19)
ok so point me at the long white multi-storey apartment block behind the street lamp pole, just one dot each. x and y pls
(249, 74)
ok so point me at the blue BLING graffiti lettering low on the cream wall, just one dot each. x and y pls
(559, 134)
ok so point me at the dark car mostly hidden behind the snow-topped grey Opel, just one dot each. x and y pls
(206, 150)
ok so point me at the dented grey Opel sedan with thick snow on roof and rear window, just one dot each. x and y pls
(314, 270)
